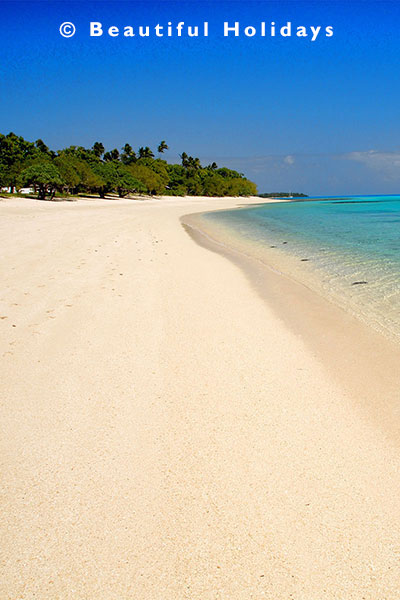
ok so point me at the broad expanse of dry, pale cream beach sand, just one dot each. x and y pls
(167, 433)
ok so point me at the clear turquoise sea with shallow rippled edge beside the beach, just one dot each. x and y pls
(349, 247)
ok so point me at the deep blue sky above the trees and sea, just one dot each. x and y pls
(319, 117)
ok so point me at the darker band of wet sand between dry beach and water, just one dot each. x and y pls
(363, 360)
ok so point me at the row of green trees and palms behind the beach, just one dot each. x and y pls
(77, 170)
